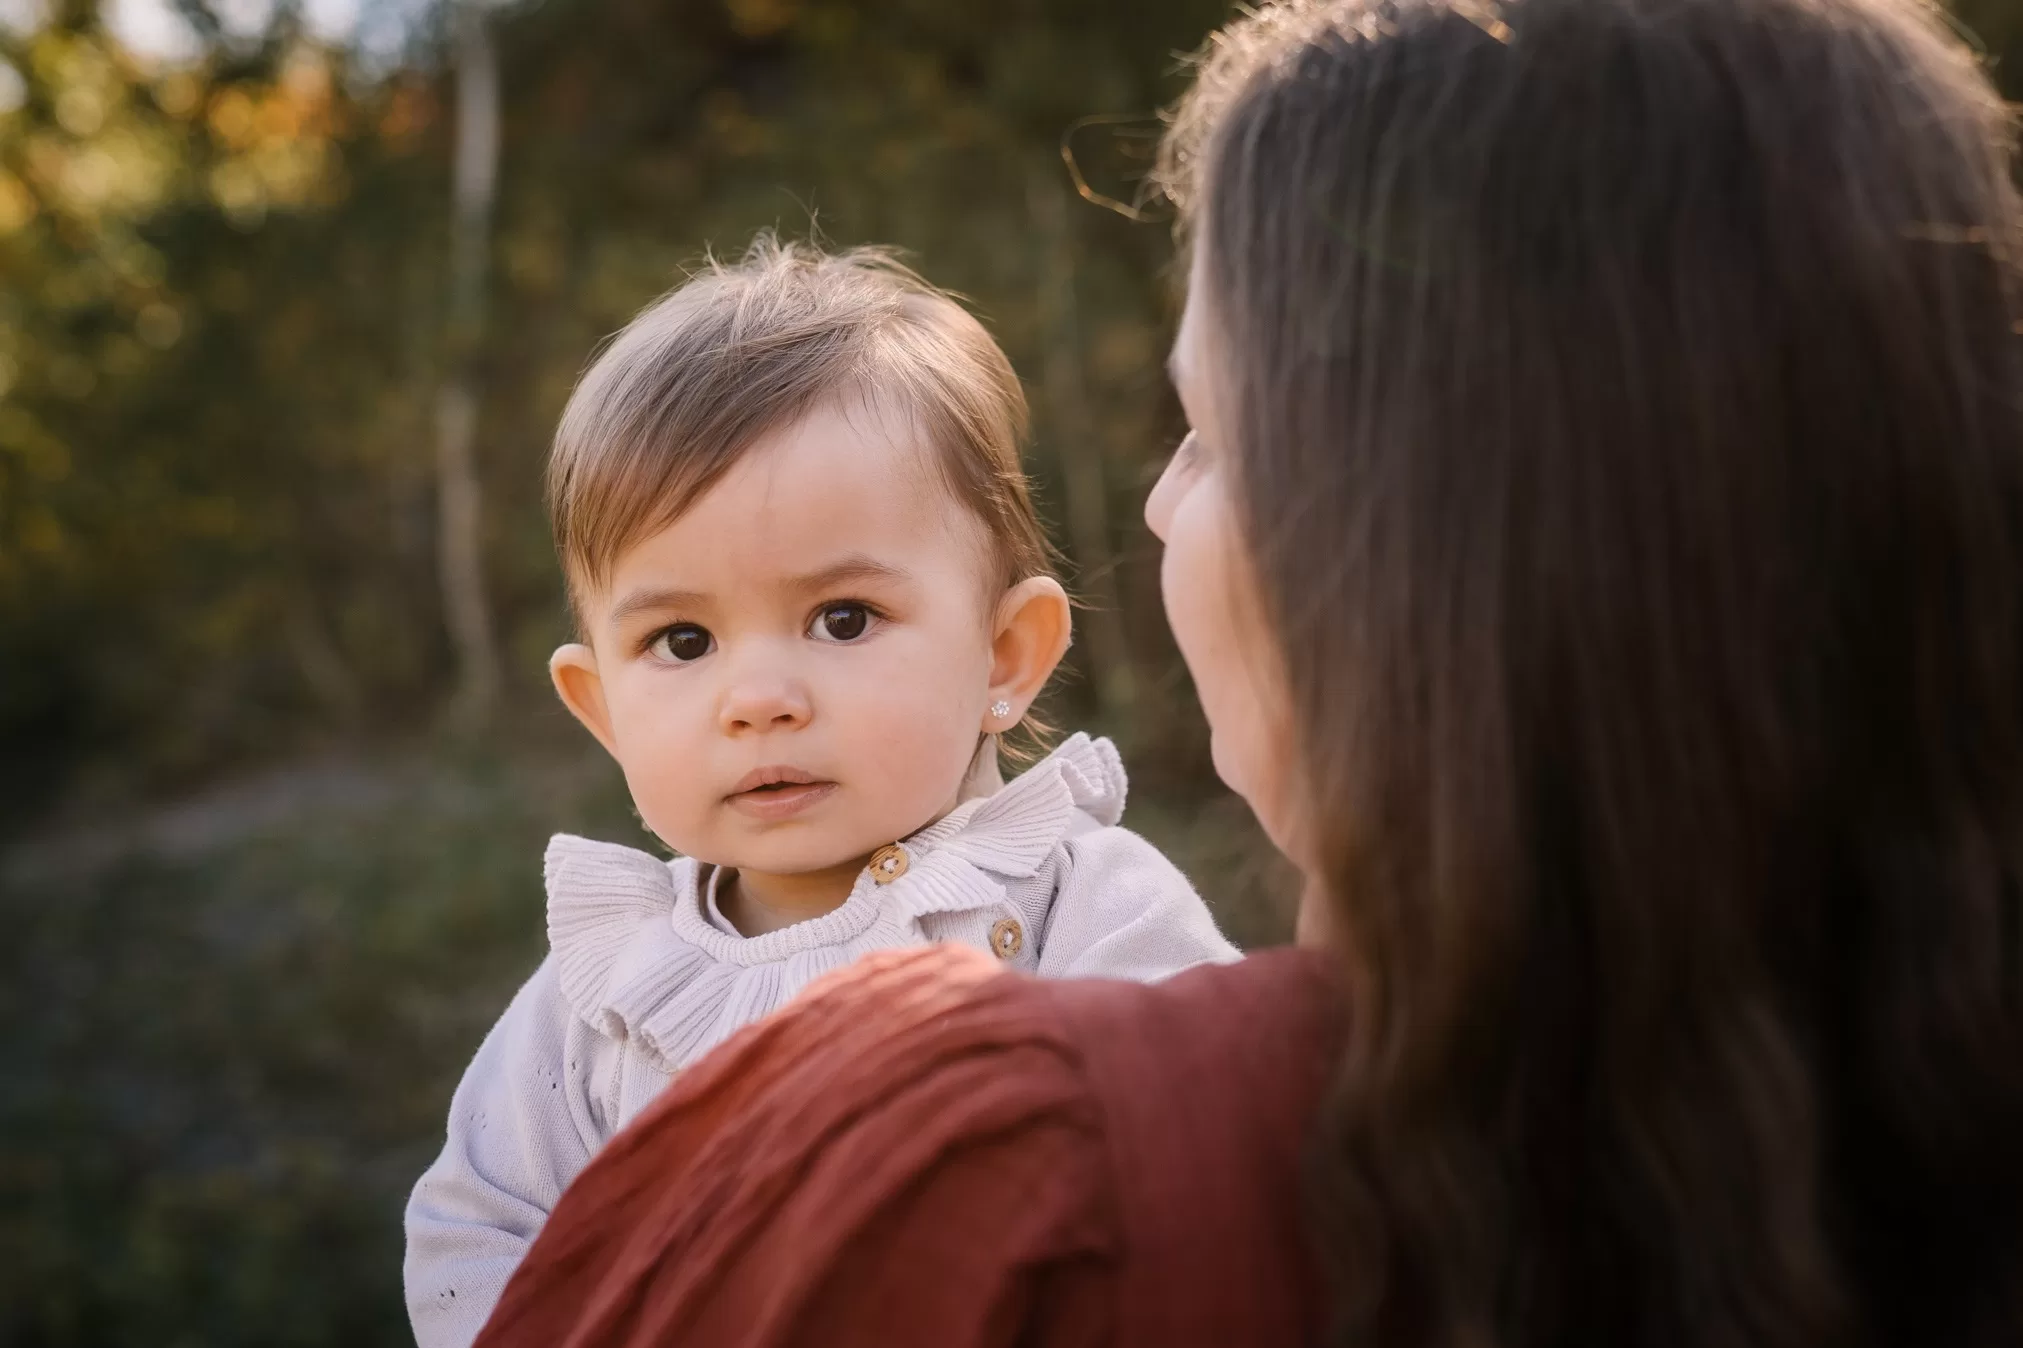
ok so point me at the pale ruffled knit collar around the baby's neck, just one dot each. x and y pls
(640, 960)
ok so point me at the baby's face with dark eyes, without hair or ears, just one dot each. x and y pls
(796, 671)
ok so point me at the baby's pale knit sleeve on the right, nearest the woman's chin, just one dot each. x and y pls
(1126, 912)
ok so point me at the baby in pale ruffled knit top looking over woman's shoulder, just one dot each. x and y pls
(812, 594)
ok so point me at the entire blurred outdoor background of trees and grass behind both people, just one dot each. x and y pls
(290, 299)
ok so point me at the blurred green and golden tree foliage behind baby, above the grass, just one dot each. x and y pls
(222, 325)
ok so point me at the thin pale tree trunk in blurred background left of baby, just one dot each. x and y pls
(460, 501)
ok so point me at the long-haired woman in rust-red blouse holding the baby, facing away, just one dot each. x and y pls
(1601, 560)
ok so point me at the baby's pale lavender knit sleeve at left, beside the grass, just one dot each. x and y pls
(525, 1120)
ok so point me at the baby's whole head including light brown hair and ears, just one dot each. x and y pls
(802, 554)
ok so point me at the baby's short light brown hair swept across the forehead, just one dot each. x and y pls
(745, 349)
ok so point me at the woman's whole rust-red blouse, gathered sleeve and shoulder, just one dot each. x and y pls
(930, 1153)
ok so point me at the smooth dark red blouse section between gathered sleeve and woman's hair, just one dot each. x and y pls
(1209, 1088)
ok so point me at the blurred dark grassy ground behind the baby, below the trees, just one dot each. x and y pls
(232, 1051)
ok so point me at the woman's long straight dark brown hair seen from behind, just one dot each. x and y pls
(1630, 440)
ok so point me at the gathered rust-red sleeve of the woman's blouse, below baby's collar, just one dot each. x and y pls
(907, 1157)
